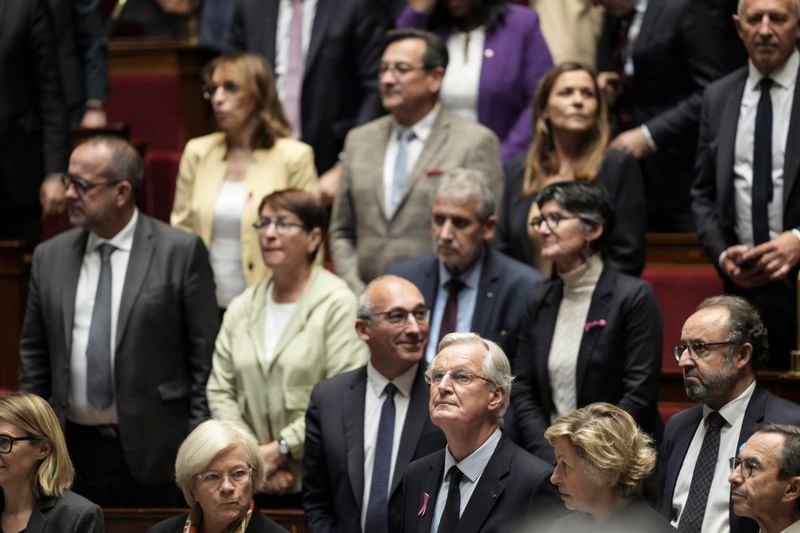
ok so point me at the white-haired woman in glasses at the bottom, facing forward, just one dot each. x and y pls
(218, 469)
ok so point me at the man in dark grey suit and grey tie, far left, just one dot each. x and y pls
(119, 331)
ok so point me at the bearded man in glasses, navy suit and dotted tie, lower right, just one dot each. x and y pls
(721, 345)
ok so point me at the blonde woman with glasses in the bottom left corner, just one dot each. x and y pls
(36, 472)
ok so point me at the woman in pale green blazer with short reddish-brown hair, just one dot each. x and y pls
(282, 336)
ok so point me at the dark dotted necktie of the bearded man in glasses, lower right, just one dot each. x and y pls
(692, 517)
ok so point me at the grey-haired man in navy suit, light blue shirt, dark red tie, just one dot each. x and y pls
(493, 288)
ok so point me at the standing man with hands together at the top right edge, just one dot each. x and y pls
(745, 198)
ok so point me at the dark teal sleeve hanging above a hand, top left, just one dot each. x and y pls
(91, 41)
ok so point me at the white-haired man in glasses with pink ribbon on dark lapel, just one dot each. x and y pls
(482, 481)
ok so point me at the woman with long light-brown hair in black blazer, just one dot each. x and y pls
(570, 143)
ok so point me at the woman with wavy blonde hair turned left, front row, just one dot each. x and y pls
(602, 460)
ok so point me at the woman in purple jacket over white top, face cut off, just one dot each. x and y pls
(497, 56)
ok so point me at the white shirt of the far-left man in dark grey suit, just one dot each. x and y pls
(79, 410)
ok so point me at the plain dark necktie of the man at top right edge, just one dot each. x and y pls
(762, 165)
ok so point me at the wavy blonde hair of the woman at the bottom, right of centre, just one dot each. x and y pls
(615, 451)
